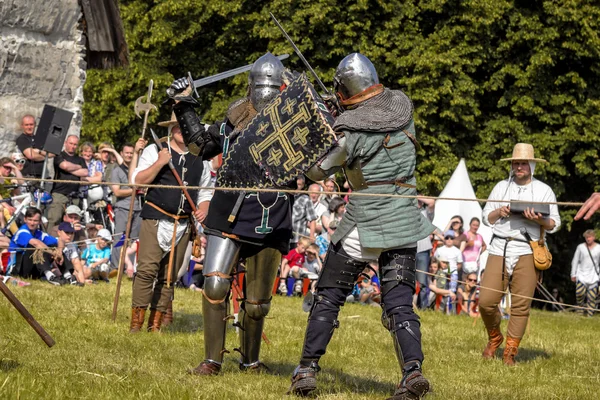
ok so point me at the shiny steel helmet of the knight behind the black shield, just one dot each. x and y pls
(265, 80)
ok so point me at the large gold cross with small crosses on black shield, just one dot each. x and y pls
(280, 135)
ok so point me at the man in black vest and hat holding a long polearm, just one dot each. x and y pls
(165, 228)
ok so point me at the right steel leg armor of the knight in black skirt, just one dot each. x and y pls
(261, 271)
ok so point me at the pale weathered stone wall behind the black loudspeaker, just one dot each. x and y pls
(41, 62)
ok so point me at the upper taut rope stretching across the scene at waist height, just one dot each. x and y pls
(295, 191)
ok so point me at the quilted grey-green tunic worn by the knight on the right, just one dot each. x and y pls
(384, 222)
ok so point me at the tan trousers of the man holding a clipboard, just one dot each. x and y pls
(522, 283)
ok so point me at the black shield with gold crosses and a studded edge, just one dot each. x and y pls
(284, 140)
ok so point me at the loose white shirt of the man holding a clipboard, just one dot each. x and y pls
(510, 226)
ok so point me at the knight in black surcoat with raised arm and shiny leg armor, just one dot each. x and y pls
(240, 225)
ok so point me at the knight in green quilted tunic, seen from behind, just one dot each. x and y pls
(378, 155)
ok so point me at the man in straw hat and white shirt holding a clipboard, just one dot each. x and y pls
(511, 263)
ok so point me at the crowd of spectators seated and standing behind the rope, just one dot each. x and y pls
(72, 234)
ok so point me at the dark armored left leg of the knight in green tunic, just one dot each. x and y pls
(335, 284)
